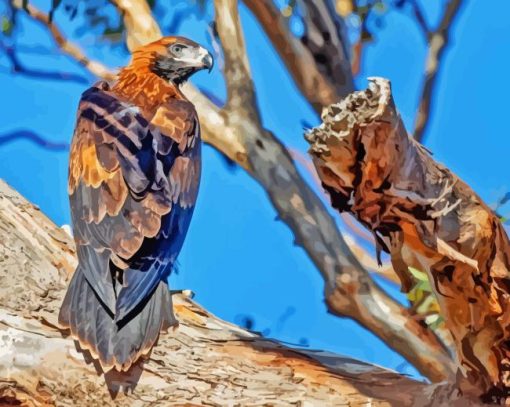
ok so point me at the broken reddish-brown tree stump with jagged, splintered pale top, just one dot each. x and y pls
(427, 218)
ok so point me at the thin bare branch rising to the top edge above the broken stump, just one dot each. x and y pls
(438, 41)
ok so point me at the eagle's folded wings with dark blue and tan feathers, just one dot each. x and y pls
(132, 188)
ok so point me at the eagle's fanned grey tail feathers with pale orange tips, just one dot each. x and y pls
(115, 344)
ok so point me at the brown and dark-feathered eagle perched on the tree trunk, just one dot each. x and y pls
(134, 172)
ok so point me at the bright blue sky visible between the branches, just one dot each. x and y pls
(237, 258)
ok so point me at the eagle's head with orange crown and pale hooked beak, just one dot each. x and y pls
(175, 59)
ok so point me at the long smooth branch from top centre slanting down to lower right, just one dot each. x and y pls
(349, 289)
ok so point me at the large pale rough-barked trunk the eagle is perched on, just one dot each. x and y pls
(205, 361)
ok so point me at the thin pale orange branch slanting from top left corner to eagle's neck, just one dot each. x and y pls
(67, 47)
